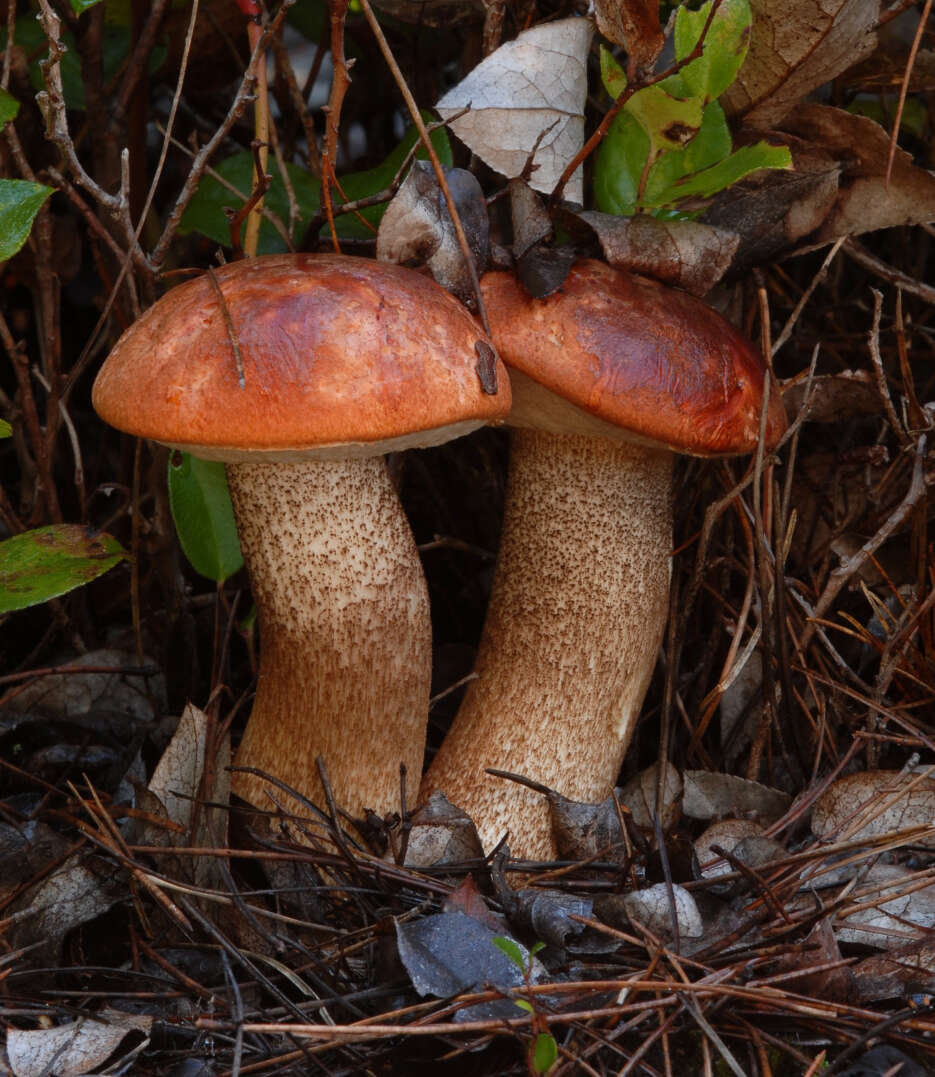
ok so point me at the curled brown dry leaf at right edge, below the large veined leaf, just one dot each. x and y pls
(866, 203)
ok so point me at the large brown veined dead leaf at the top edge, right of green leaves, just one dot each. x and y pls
(797, 48)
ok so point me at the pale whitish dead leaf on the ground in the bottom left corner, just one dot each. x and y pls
(80, 1047)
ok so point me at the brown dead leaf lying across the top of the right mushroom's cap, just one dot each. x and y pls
(685, 254)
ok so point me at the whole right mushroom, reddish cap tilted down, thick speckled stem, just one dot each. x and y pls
(611, 376)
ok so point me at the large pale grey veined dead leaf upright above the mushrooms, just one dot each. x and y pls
(532, 90)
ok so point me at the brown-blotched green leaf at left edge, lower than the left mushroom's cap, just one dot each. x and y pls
(41, 565)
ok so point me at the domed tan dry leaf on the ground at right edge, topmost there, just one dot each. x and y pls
(871, 804)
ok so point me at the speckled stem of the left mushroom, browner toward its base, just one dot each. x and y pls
(345, 632)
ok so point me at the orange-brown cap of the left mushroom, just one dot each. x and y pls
(341, 357)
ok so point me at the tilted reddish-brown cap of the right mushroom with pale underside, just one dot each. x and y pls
(641, 357)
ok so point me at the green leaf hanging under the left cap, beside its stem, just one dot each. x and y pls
(204, 516)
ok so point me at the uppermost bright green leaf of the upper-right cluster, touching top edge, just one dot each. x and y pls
(724, 51)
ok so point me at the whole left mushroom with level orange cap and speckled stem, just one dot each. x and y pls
(311, 370)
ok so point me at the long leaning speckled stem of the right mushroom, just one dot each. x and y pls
(576, 621)
